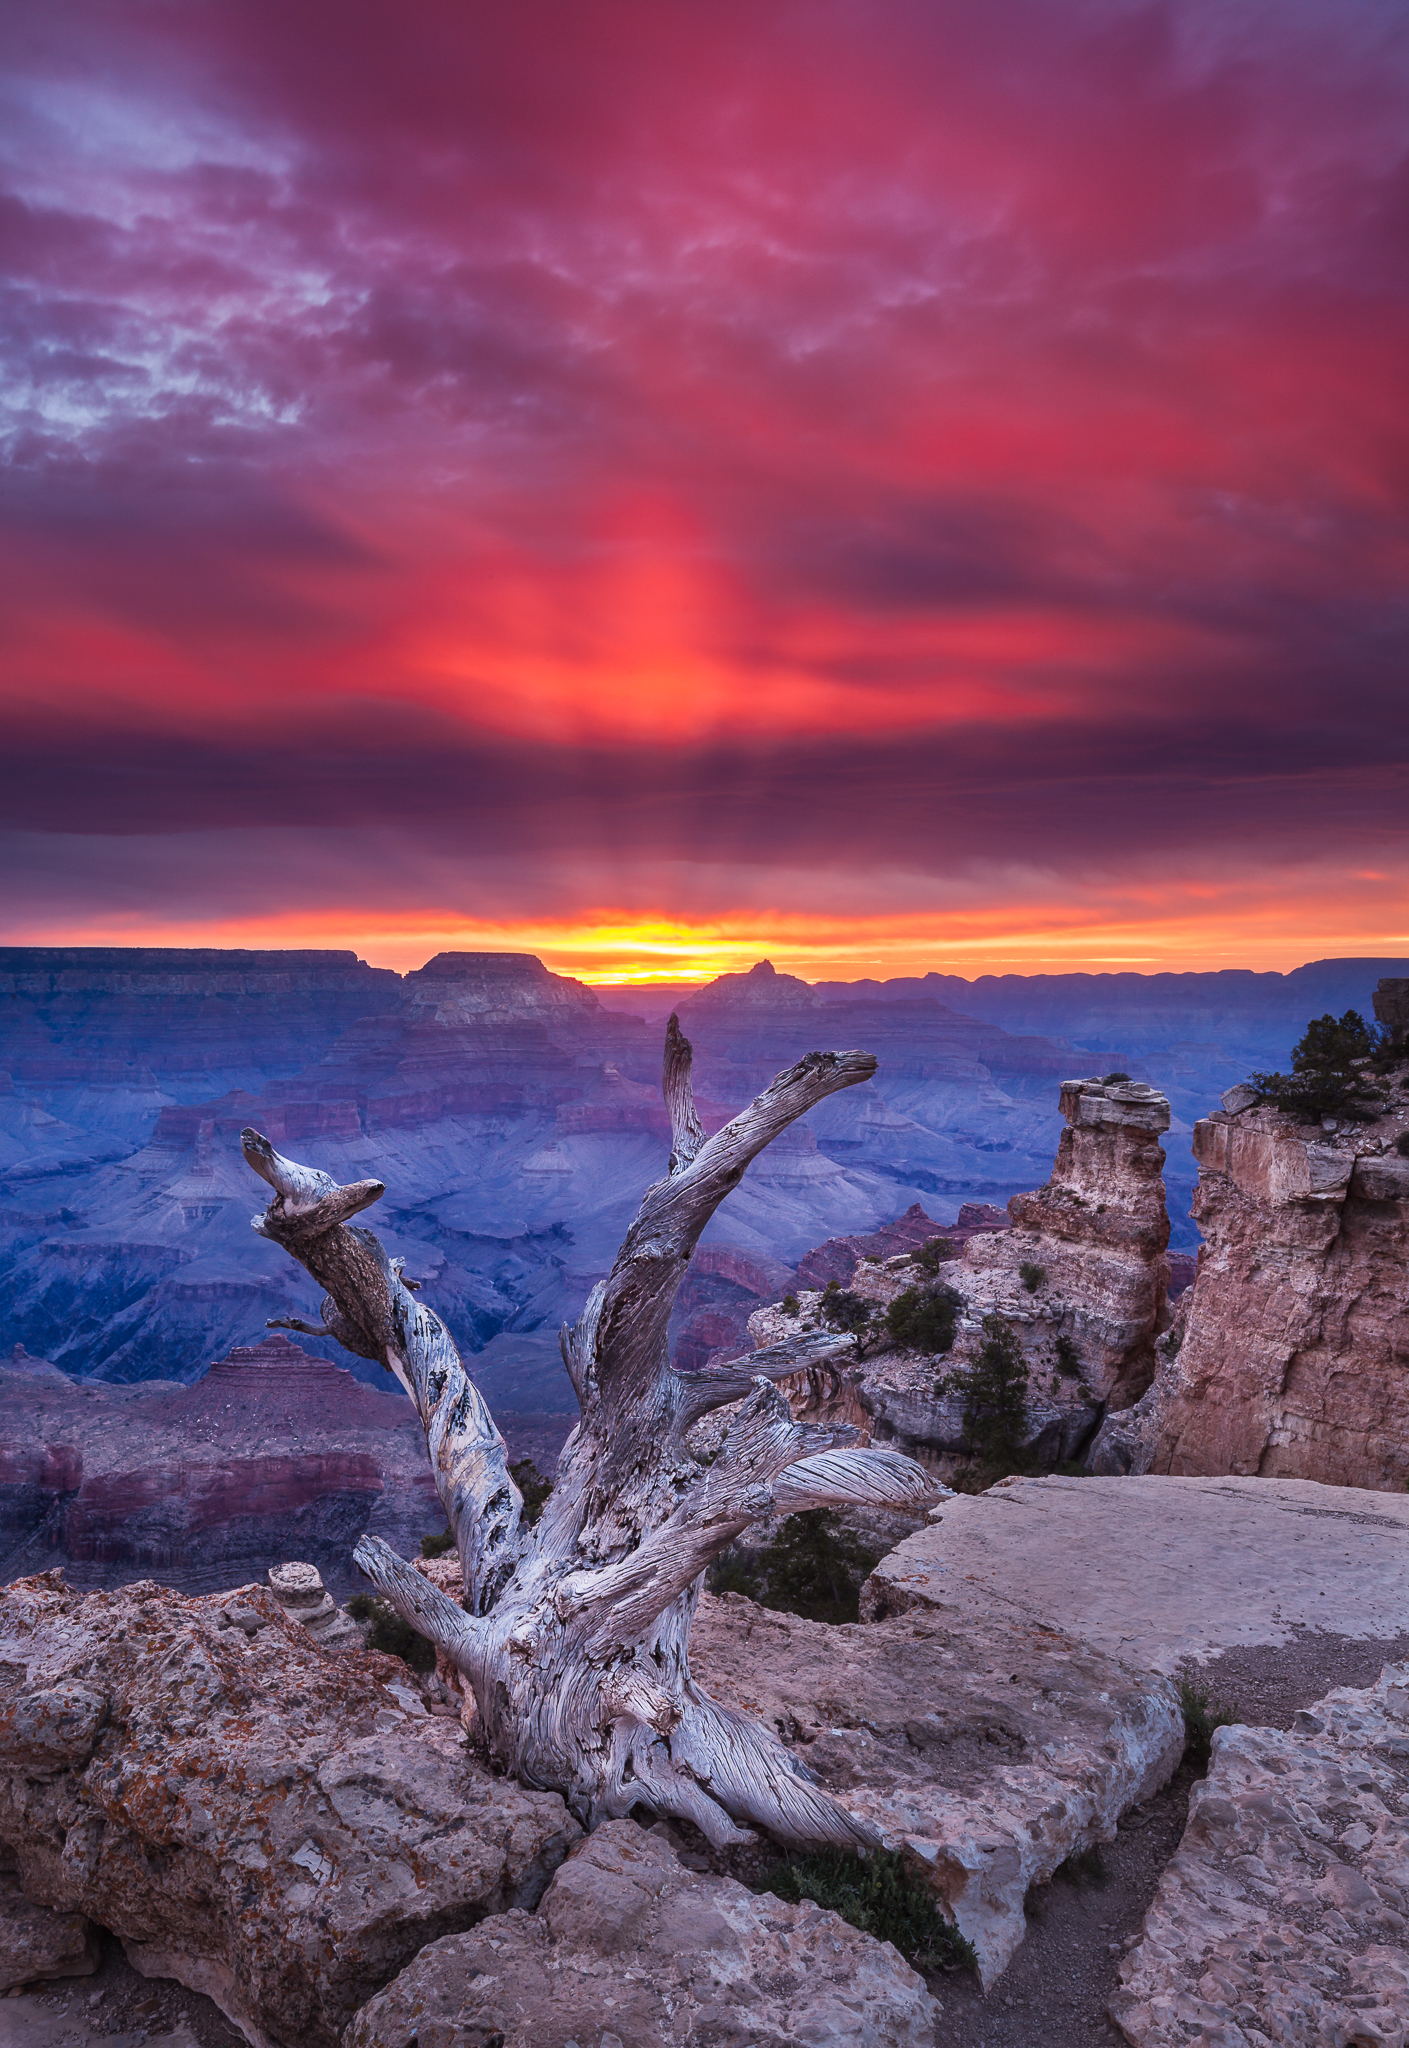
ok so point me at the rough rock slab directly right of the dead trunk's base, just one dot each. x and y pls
(992, 1746)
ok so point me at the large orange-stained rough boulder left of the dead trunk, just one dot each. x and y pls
(269, 1824)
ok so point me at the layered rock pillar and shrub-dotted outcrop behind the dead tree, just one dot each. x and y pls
(1082, 1279)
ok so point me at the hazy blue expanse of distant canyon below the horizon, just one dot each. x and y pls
(515, 1117)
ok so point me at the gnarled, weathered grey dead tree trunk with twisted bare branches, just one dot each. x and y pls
(574, 1635)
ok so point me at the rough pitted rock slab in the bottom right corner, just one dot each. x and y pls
(1283, 1920)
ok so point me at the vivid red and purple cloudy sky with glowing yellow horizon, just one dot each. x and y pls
(894, 484)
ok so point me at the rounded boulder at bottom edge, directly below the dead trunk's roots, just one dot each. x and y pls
(634, 1951)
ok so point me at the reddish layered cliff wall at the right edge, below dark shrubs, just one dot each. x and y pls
(1295, 1347)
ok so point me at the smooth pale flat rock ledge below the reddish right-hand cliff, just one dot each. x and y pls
(1162, 1572)
